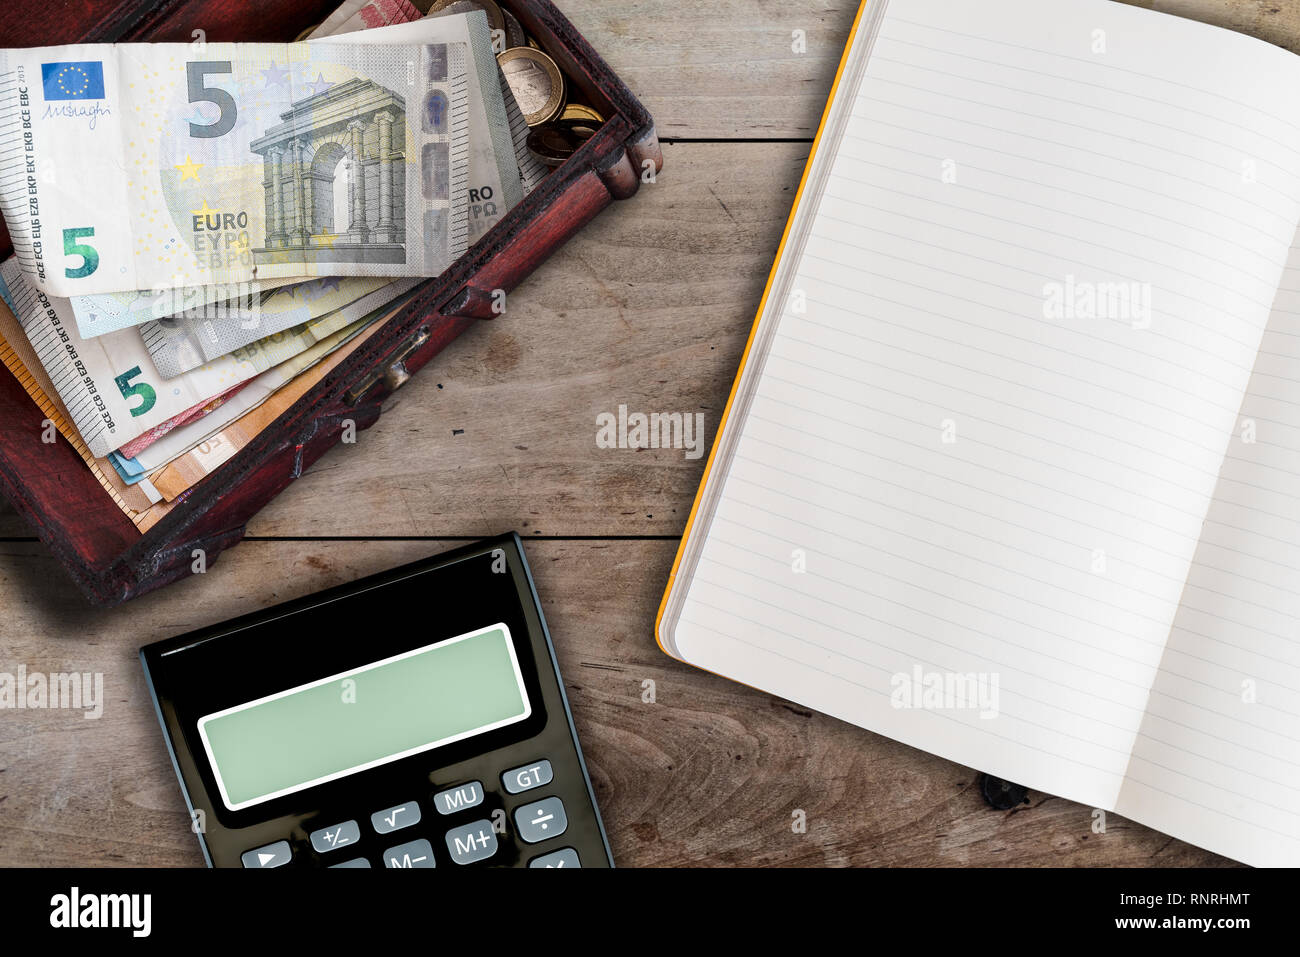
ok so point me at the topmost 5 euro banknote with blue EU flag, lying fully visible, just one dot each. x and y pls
(136, 167)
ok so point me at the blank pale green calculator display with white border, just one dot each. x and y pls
(366, 717)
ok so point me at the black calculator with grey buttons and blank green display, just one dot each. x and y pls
(411, 720)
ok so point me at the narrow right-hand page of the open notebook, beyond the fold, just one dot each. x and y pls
(1217, 760)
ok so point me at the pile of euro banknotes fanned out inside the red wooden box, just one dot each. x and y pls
(202, 232)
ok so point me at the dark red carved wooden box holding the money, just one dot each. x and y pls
(50, 486)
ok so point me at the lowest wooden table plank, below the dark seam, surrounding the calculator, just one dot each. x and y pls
(708, 774)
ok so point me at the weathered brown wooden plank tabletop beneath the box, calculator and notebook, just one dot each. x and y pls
(649, 308)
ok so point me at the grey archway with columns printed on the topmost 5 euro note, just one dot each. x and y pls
(335, 177)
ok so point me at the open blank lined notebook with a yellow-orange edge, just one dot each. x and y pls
(1021, 413)
